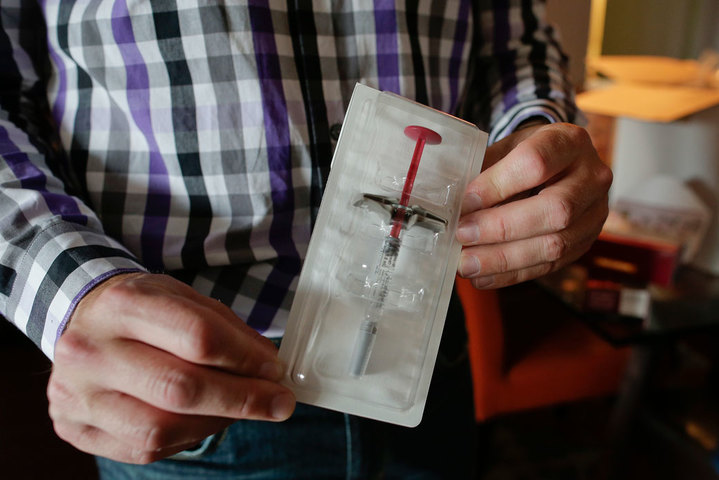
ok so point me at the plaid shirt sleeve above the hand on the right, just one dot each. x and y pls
(518, 69)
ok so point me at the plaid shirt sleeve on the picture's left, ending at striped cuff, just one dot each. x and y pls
(52, 246)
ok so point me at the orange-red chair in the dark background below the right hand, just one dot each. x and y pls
(569, 363)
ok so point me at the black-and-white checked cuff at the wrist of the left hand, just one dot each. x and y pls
(63, 263)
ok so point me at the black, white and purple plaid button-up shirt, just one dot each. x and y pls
(194, 138)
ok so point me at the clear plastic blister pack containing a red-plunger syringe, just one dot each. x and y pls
(365, 325)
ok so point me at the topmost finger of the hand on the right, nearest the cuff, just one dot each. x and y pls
(534, 161)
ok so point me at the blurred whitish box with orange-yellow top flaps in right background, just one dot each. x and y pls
(662, 127)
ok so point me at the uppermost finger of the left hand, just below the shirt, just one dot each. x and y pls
(179, 324)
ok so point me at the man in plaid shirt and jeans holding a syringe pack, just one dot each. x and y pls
(158, 157)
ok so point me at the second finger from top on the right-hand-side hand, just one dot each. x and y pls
(553, 210)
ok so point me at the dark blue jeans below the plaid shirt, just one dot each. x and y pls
(316, 443)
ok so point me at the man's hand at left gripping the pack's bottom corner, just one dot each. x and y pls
(149, 367)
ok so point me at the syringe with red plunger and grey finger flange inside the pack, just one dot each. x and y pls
(402, 216)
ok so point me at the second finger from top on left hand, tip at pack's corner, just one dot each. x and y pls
(172, 384)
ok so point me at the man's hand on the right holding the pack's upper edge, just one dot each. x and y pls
(539, 203)
